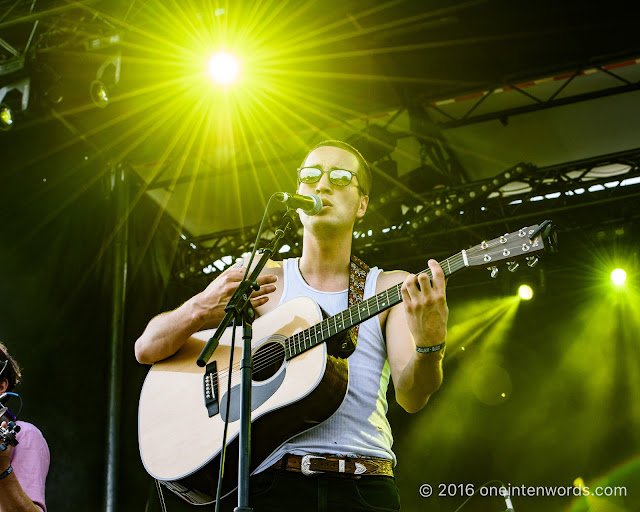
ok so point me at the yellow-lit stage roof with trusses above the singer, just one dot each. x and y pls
(471, 111)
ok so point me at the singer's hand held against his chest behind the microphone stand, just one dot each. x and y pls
(213, 299)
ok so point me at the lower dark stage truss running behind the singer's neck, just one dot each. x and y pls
(594, 199)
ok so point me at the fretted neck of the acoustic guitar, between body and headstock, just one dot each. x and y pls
(358, 313)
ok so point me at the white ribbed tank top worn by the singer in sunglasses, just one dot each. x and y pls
(359, 428)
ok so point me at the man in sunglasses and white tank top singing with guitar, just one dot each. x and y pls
(405, 342)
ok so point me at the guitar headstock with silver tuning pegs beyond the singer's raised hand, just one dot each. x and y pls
(528, 242)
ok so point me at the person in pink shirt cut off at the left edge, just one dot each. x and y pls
(24, 467)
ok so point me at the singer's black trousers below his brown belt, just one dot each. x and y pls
(277, 490)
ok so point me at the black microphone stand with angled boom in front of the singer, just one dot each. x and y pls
(239, 310)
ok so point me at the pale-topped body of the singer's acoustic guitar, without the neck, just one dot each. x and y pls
(181, 441)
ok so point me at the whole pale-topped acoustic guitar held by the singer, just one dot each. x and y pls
(297, 381)
